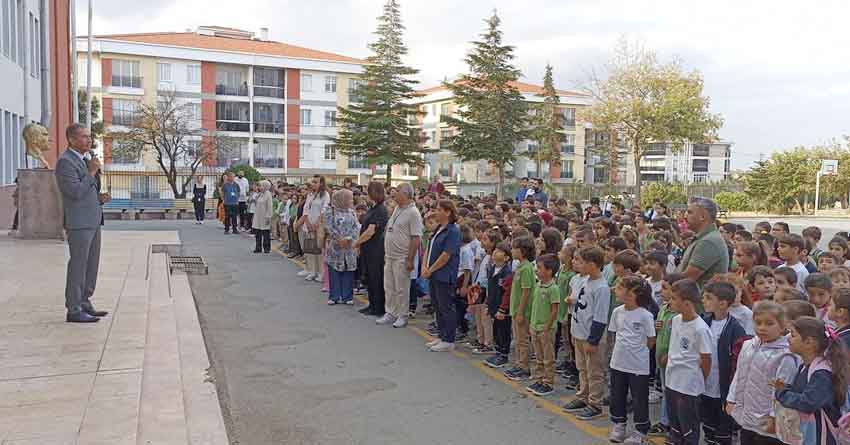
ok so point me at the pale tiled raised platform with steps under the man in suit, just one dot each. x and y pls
(139, 376)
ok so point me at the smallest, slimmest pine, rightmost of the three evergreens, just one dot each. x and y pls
(548, 125)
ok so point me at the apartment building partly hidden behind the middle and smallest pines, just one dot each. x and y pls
(438, 101)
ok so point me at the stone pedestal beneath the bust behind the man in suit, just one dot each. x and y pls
(40, 205)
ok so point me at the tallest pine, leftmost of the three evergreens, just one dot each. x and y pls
(377, 127)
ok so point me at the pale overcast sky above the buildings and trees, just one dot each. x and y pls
(778, 71)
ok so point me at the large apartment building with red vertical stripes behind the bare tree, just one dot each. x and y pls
(277, 101)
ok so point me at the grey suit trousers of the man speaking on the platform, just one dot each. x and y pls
(84, 246)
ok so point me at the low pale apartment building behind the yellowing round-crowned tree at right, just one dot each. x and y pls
(661, 162)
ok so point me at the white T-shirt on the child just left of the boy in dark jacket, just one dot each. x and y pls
(688, 341)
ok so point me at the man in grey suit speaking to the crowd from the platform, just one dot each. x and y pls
(76, 177)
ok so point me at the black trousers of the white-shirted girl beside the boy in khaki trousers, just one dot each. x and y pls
(623, 383)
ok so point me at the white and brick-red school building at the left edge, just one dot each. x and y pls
(36, 84)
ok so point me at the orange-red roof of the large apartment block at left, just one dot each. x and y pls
(199, 41)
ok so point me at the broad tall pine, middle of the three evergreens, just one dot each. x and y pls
(492, 115)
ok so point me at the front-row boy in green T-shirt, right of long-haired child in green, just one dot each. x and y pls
(544, 314)
